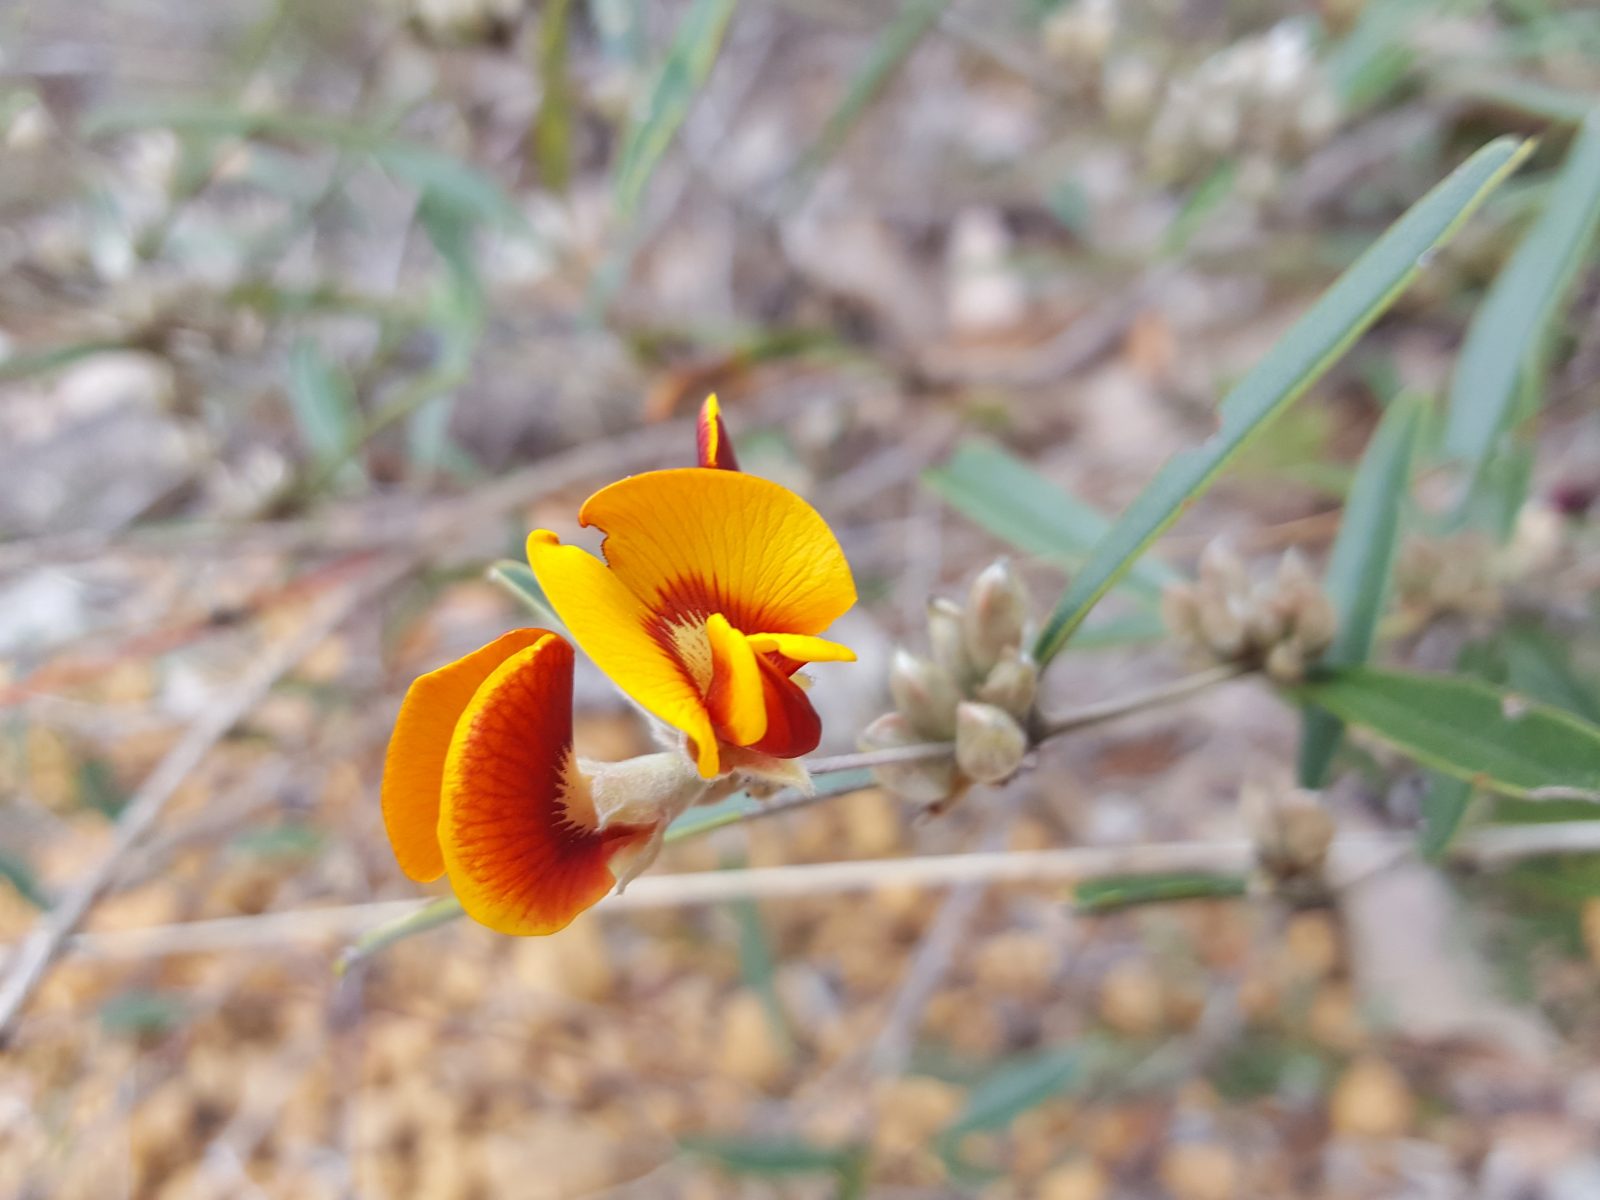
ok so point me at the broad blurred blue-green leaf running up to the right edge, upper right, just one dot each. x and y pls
(1521, 305)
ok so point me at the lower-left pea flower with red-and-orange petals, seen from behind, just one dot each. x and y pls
(481, 783)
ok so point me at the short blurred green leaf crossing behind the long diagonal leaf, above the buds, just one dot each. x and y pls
(1007, 497)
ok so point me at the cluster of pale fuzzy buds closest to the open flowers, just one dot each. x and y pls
(975, 689)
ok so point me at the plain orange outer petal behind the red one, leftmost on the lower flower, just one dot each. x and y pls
(415, 766)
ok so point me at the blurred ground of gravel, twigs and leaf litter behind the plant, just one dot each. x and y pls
(311, 310)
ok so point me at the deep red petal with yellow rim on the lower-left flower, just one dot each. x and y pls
(516, 823)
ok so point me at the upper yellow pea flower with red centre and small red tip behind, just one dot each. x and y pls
(711, 596)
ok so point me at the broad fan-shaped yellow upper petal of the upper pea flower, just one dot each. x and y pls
(719, 542)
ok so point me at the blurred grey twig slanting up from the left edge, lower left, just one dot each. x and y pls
(143, 810)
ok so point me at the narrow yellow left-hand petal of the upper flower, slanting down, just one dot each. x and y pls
(615, 630)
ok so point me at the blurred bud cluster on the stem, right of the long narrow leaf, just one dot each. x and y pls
(1281, 625)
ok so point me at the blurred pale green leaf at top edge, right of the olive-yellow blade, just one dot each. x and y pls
(666, 105)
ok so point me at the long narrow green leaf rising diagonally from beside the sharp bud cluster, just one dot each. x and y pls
(1294, 366)
